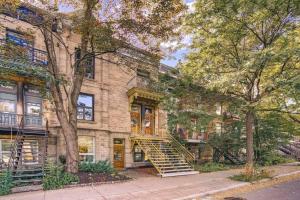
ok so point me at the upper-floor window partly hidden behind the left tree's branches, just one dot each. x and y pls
(89, 62)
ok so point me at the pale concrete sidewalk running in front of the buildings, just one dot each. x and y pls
(147, 187)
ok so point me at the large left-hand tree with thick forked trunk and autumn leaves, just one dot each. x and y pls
(104, 26)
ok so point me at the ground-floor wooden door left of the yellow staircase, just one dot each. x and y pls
(119, 153)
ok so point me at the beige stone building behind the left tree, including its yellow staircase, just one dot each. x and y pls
(119, 117)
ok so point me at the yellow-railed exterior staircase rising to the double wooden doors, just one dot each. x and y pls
(167, 155)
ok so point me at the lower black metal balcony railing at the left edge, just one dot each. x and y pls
(12, 120)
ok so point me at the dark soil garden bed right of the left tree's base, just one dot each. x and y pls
(88, 177)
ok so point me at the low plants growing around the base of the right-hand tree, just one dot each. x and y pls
(257, 175)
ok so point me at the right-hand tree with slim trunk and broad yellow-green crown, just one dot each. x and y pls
(245, 49)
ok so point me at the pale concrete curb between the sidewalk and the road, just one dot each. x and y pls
(239, 185)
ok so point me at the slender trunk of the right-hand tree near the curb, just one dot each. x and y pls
(249, 134)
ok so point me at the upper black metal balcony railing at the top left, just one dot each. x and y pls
(18, 52)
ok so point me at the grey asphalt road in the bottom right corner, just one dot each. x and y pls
(284, 191)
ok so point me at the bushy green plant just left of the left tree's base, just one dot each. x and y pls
(56, 178)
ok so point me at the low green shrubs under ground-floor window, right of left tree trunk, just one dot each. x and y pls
(98, 167)
